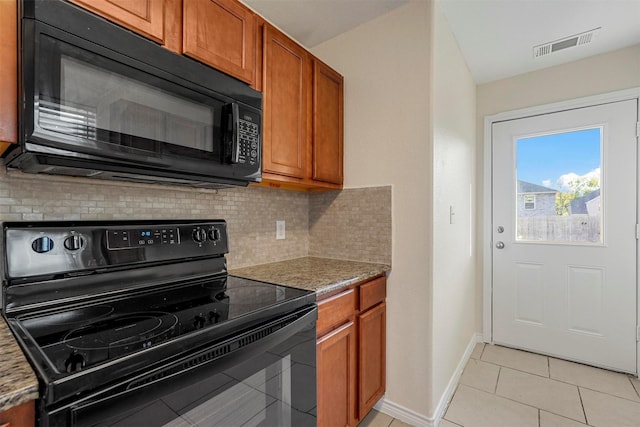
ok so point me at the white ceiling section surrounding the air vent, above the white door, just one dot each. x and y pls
(497, 36)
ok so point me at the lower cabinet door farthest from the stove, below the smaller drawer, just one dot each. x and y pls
(372, 363)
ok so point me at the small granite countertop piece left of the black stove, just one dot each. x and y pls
(18, 382)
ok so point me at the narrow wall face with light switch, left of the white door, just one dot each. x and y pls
(454, 126)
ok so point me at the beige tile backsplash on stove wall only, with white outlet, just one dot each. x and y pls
(251, 213)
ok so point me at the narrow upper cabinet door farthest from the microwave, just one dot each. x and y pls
(327, 124)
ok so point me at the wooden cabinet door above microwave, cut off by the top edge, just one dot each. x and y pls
(145, 17)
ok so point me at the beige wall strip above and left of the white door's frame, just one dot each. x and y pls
(591, 76)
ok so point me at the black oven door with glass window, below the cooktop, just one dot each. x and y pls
(271, 382)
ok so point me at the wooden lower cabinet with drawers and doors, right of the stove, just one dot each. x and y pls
(351, 353)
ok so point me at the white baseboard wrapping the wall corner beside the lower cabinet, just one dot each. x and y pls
(419, 420)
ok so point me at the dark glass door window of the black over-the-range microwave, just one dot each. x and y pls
(96, 102)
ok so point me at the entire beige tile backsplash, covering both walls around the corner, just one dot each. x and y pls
(251, 213)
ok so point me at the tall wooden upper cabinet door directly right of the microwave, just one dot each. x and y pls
(286, 85)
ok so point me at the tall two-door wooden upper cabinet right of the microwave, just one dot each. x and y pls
(303, 117)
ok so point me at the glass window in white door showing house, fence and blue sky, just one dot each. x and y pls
(558, 187)
